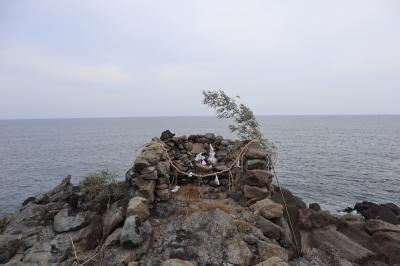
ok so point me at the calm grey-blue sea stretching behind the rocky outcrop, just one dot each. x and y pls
(333, 160)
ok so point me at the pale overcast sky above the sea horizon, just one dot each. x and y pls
(61, 59)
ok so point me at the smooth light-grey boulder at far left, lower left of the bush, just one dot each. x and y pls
(64, 221)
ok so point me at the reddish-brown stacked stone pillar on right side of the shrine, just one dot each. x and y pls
(257, 178)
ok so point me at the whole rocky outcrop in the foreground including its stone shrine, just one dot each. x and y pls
(236, 218)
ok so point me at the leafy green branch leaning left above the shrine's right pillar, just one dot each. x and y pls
(245, 124)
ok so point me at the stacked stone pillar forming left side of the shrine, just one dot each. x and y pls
(150, 173)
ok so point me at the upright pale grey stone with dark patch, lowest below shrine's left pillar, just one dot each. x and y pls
(134, 231)
